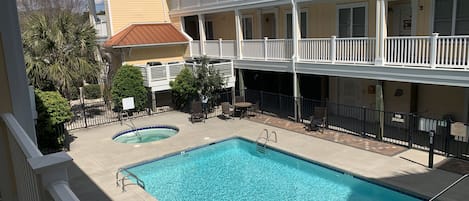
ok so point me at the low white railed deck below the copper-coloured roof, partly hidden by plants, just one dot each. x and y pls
(158, 77)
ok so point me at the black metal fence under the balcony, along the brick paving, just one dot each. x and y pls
(399, 128)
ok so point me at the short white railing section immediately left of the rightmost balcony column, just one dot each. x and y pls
(355, 50)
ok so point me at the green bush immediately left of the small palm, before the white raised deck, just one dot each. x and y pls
(183, 88)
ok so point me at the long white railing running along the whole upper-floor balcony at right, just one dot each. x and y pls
(442, 52)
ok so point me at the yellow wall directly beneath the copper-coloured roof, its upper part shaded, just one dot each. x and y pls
(161, 54)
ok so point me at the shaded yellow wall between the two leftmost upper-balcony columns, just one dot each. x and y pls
(223, 25)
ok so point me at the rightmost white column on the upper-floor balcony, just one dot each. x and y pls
(381, 31)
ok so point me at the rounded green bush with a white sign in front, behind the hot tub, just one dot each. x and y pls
(128, 82)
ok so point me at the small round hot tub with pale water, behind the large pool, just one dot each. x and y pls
(145, 134)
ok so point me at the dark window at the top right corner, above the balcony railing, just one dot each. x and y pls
(451, 17)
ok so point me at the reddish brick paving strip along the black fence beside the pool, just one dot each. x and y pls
(334, 136)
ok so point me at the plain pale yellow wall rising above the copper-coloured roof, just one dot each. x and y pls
(125, 12)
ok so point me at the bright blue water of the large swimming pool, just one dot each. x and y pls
(234, 170)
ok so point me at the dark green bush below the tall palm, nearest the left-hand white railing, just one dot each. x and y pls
(53, 110)
